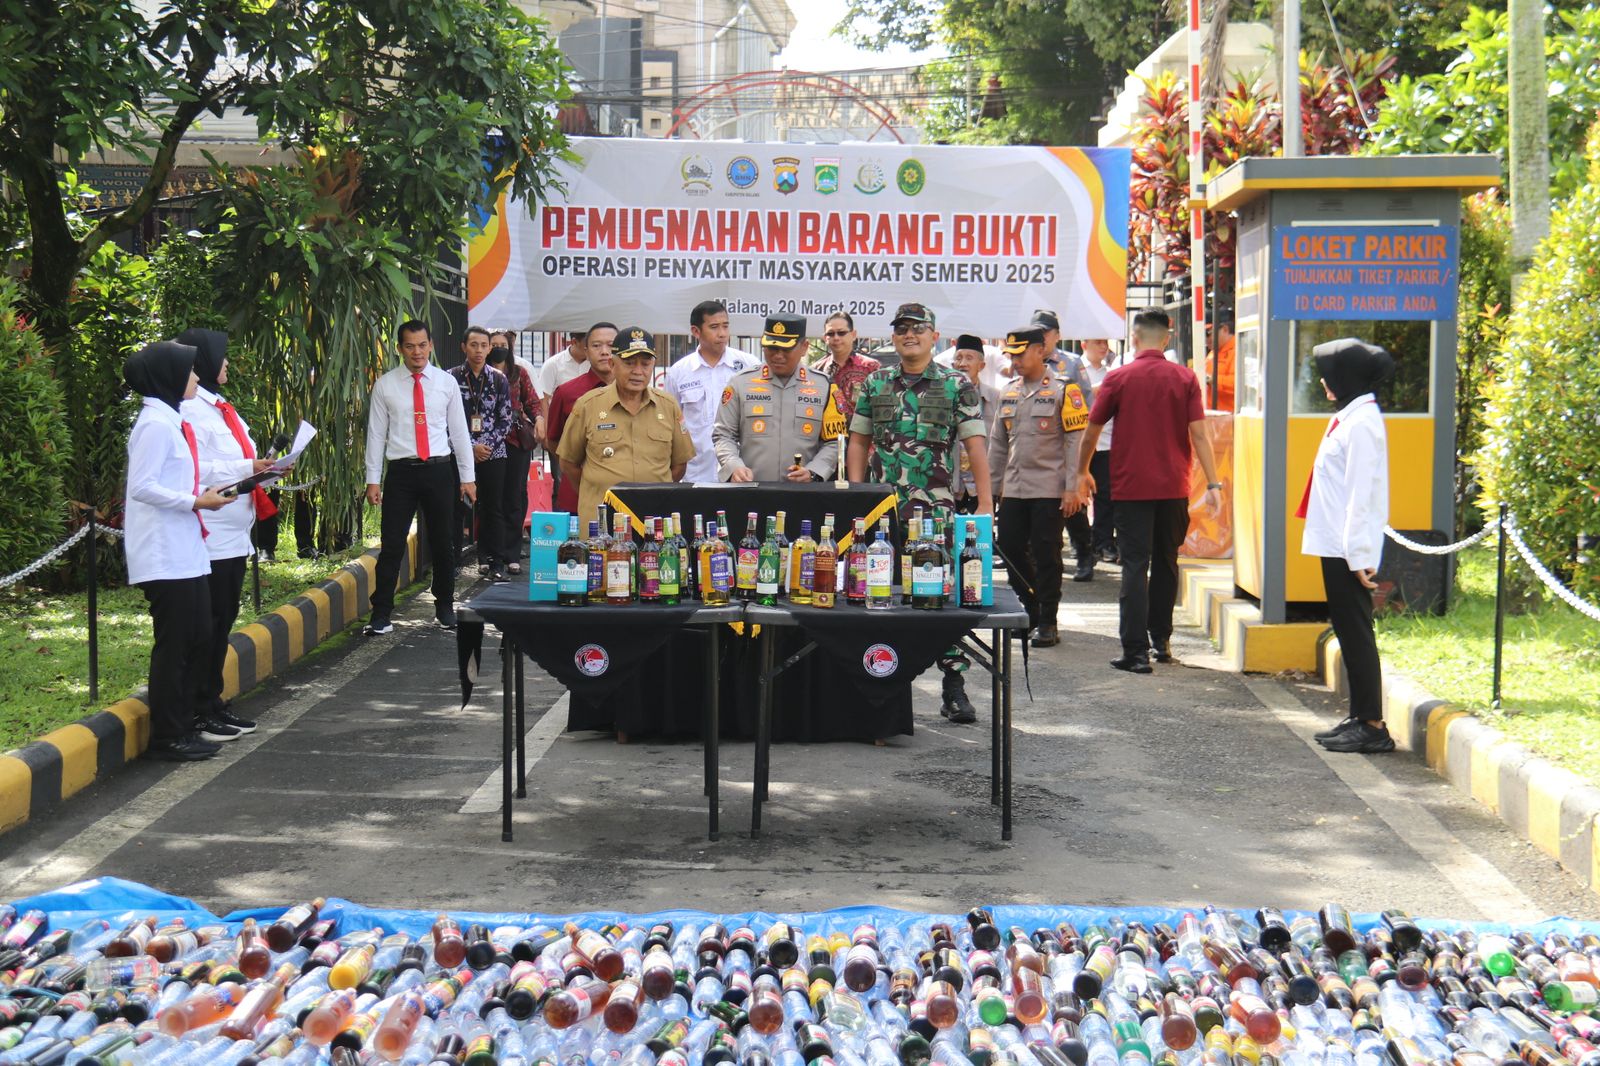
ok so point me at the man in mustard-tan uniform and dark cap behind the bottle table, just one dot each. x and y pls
(626, 431)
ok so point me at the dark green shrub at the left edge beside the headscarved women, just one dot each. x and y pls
(36, 452)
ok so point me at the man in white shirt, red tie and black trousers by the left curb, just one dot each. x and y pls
(418, 423)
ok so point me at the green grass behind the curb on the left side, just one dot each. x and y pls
(44, 641)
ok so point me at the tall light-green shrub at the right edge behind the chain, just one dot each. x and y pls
(1542, 433)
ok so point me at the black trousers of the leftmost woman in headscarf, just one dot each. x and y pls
(182, 615)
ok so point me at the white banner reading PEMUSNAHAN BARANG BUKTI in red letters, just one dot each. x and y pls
(647, 230)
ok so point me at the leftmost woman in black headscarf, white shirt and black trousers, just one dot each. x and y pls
(166, 543)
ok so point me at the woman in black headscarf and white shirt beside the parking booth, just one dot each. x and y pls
(1346, 510)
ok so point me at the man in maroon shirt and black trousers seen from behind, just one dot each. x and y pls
(1159, 420)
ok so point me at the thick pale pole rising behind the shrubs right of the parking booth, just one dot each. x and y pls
(1530, 138)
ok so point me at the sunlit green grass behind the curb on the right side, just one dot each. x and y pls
(1551, 681)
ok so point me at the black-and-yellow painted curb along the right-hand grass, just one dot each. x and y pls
(1553, 809)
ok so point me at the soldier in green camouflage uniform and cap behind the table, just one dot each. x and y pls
(910, 422)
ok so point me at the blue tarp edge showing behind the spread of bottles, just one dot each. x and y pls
(116, 900)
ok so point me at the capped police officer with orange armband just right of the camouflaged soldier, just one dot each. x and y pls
(1034, 460)
